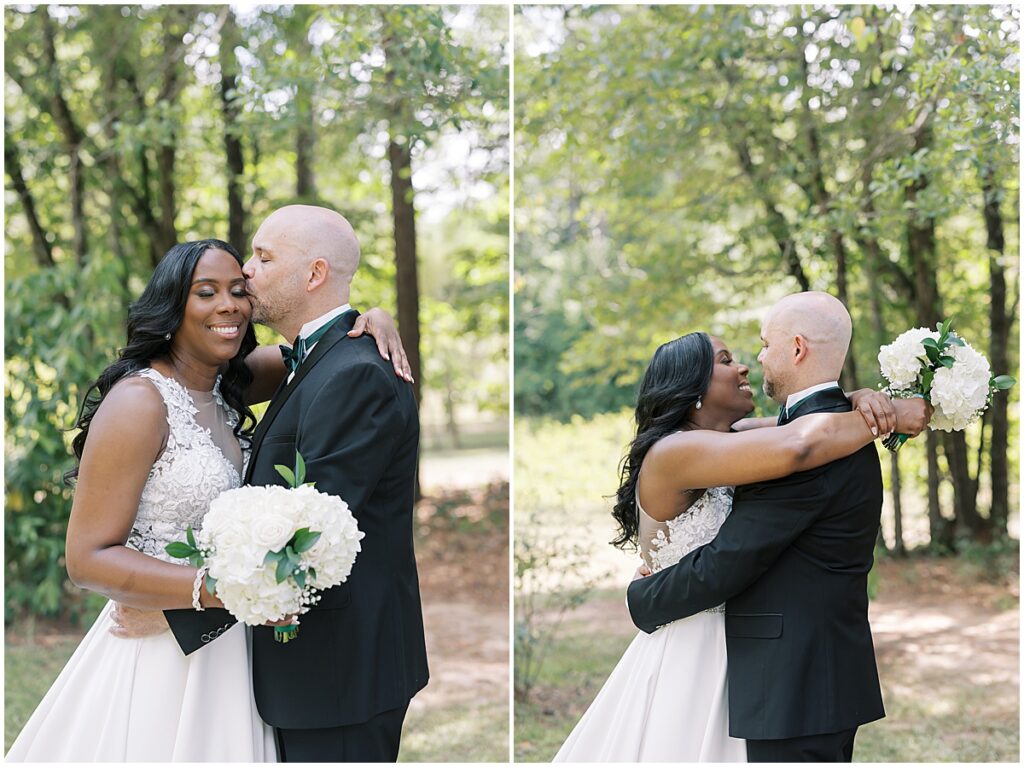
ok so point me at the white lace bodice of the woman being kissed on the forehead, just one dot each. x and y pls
(190, 474)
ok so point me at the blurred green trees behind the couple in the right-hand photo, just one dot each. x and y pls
(681, 168)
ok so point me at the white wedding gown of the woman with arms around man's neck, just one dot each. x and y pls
(667, 700)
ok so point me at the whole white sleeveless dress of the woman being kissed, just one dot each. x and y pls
(142, 700)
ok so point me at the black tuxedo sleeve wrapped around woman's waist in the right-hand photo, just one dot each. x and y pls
(772, 517)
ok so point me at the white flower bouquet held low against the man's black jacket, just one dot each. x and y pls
(270, 549)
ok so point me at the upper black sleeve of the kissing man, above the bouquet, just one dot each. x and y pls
(350, 434)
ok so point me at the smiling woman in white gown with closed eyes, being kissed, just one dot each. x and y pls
(162, 435)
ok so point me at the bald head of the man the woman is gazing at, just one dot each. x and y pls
(806, 337)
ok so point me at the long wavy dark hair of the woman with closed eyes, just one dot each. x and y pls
(152, 320)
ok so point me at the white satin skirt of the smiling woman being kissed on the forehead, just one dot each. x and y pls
(144, 701)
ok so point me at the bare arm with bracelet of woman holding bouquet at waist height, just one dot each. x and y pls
(126, 437)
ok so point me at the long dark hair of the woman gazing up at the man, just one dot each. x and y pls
(678, 375)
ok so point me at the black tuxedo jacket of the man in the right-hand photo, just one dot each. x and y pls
(791, 563)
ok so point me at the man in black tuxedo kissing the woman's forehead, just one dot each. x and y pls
(339, 693)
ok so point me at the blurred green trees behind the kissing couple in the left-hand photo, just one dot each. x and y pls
(131, 129)
